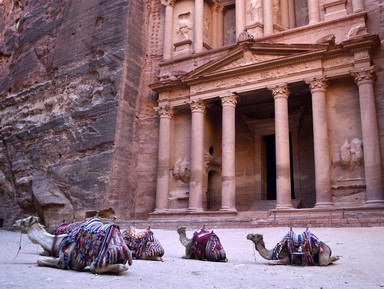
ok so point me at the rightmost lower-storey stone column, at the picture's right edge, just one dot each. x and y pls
(372, 161)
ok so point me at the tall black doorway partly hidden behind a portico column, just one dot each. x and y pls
(270, 152)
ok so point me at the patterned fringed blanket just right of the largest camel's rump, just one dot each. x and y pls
(142, 243)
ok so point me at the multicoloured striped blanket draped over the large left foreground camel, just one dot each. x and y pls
(95, 242)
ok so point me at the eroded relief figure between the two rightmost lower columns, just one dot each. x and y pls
(351, 154)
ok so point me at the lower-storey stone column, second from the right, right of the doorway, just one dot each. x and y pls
(320, 139)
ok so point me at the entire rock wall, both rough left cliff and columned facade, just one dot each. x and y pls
(279, 92)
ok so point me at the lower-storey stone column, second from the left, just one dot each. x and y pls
(197, 157)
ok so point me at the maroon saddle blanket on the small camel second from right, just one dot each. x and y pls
(207, 246)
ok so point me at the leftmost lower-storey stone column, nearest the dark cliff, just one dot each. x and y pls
(162, 185)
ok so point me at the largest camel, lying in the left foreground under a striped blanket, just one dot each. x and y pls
(94, 245)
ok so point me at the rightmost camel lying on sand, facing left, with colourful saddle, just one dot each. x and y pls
(315, 252)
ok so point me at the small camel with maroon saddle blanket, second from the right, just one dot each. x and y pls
(204, 245)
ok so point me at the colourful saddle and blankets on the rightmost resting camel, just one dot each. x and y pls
(304, 243)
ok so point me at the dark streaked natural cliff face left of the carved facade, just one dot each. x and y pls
(63, 97)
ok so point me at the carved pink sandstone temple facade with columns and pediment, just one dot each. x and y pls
(267, 102)
